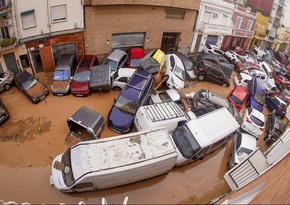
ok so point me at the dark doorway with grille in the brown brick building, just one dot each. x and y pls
(170, 42)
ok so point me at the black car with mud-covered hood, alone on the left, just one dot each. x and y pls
(30, 86)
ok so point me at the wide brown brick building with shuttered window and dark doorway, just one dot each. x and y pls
(151, 24)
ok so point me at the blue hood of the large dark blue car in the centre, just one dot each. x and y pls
(120, 120)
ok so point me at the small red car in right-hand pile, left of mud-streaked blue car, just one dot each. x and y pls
(238, 97)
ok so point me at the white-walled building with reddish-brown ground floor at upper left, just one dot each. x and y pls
(47, 29)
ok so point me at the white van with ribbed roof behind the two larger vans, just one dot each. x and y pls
(169, 115)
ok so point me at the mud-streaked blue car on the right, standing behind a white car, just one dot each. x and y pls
(257, 94)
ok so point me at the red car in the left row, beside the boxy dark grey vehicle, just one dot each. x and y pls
(81, 80)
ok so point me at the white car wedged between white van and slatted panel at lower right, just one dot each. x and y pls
(243, 145)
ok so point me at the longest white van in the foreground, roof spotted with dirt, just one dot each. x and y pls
(113, 161)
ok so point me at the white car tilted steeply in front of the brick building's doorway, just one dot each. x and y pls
(175, 72)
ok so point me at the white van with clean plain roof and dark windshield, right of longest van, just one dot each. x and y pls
(202, 135)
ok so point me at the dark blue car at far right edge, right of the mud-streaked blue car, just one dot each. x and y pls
(276, 106)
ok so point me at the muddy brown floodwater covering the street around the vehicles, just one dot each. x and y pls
(35, 134)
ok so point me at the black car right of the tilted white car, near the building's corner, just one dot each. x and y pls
(205, 69)
